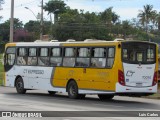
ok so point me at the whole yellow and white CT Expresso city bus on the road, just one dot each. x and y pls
(104, 68)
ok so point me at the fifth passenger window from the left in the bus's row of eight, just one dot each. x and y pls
(69, 57)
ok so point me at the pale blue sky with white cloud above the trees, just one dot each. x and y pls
(126, 9)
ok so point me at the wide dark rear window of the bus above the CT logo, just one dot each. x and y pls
(138, 53)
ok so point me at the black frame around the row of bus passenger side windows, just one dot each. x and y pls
(63, 55)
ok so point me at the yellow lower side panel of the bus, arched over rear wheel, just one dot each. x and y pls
(86, 78)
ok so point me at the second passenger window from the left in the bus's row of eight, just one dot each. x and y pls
(32, 57)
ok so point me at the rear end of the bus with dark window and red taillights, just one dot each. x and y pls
(140, 69)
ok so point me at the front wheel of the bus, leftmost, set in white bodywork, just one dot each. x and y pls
(20, 86)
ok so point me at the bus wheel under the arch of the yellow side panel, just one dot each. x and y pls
(73, 90)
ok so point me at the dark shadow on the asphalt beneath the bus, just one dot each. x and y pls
(86, 99)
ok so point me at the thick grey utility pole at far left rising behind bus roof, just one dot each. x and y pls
(12, 21)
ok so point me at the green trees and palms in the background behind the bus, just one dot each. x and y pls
(79, 25)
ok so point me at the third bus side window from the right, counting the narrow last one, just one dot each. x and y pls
(83, 57)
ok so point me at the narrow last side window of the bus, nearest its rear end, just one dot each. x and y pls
(110, 57)
